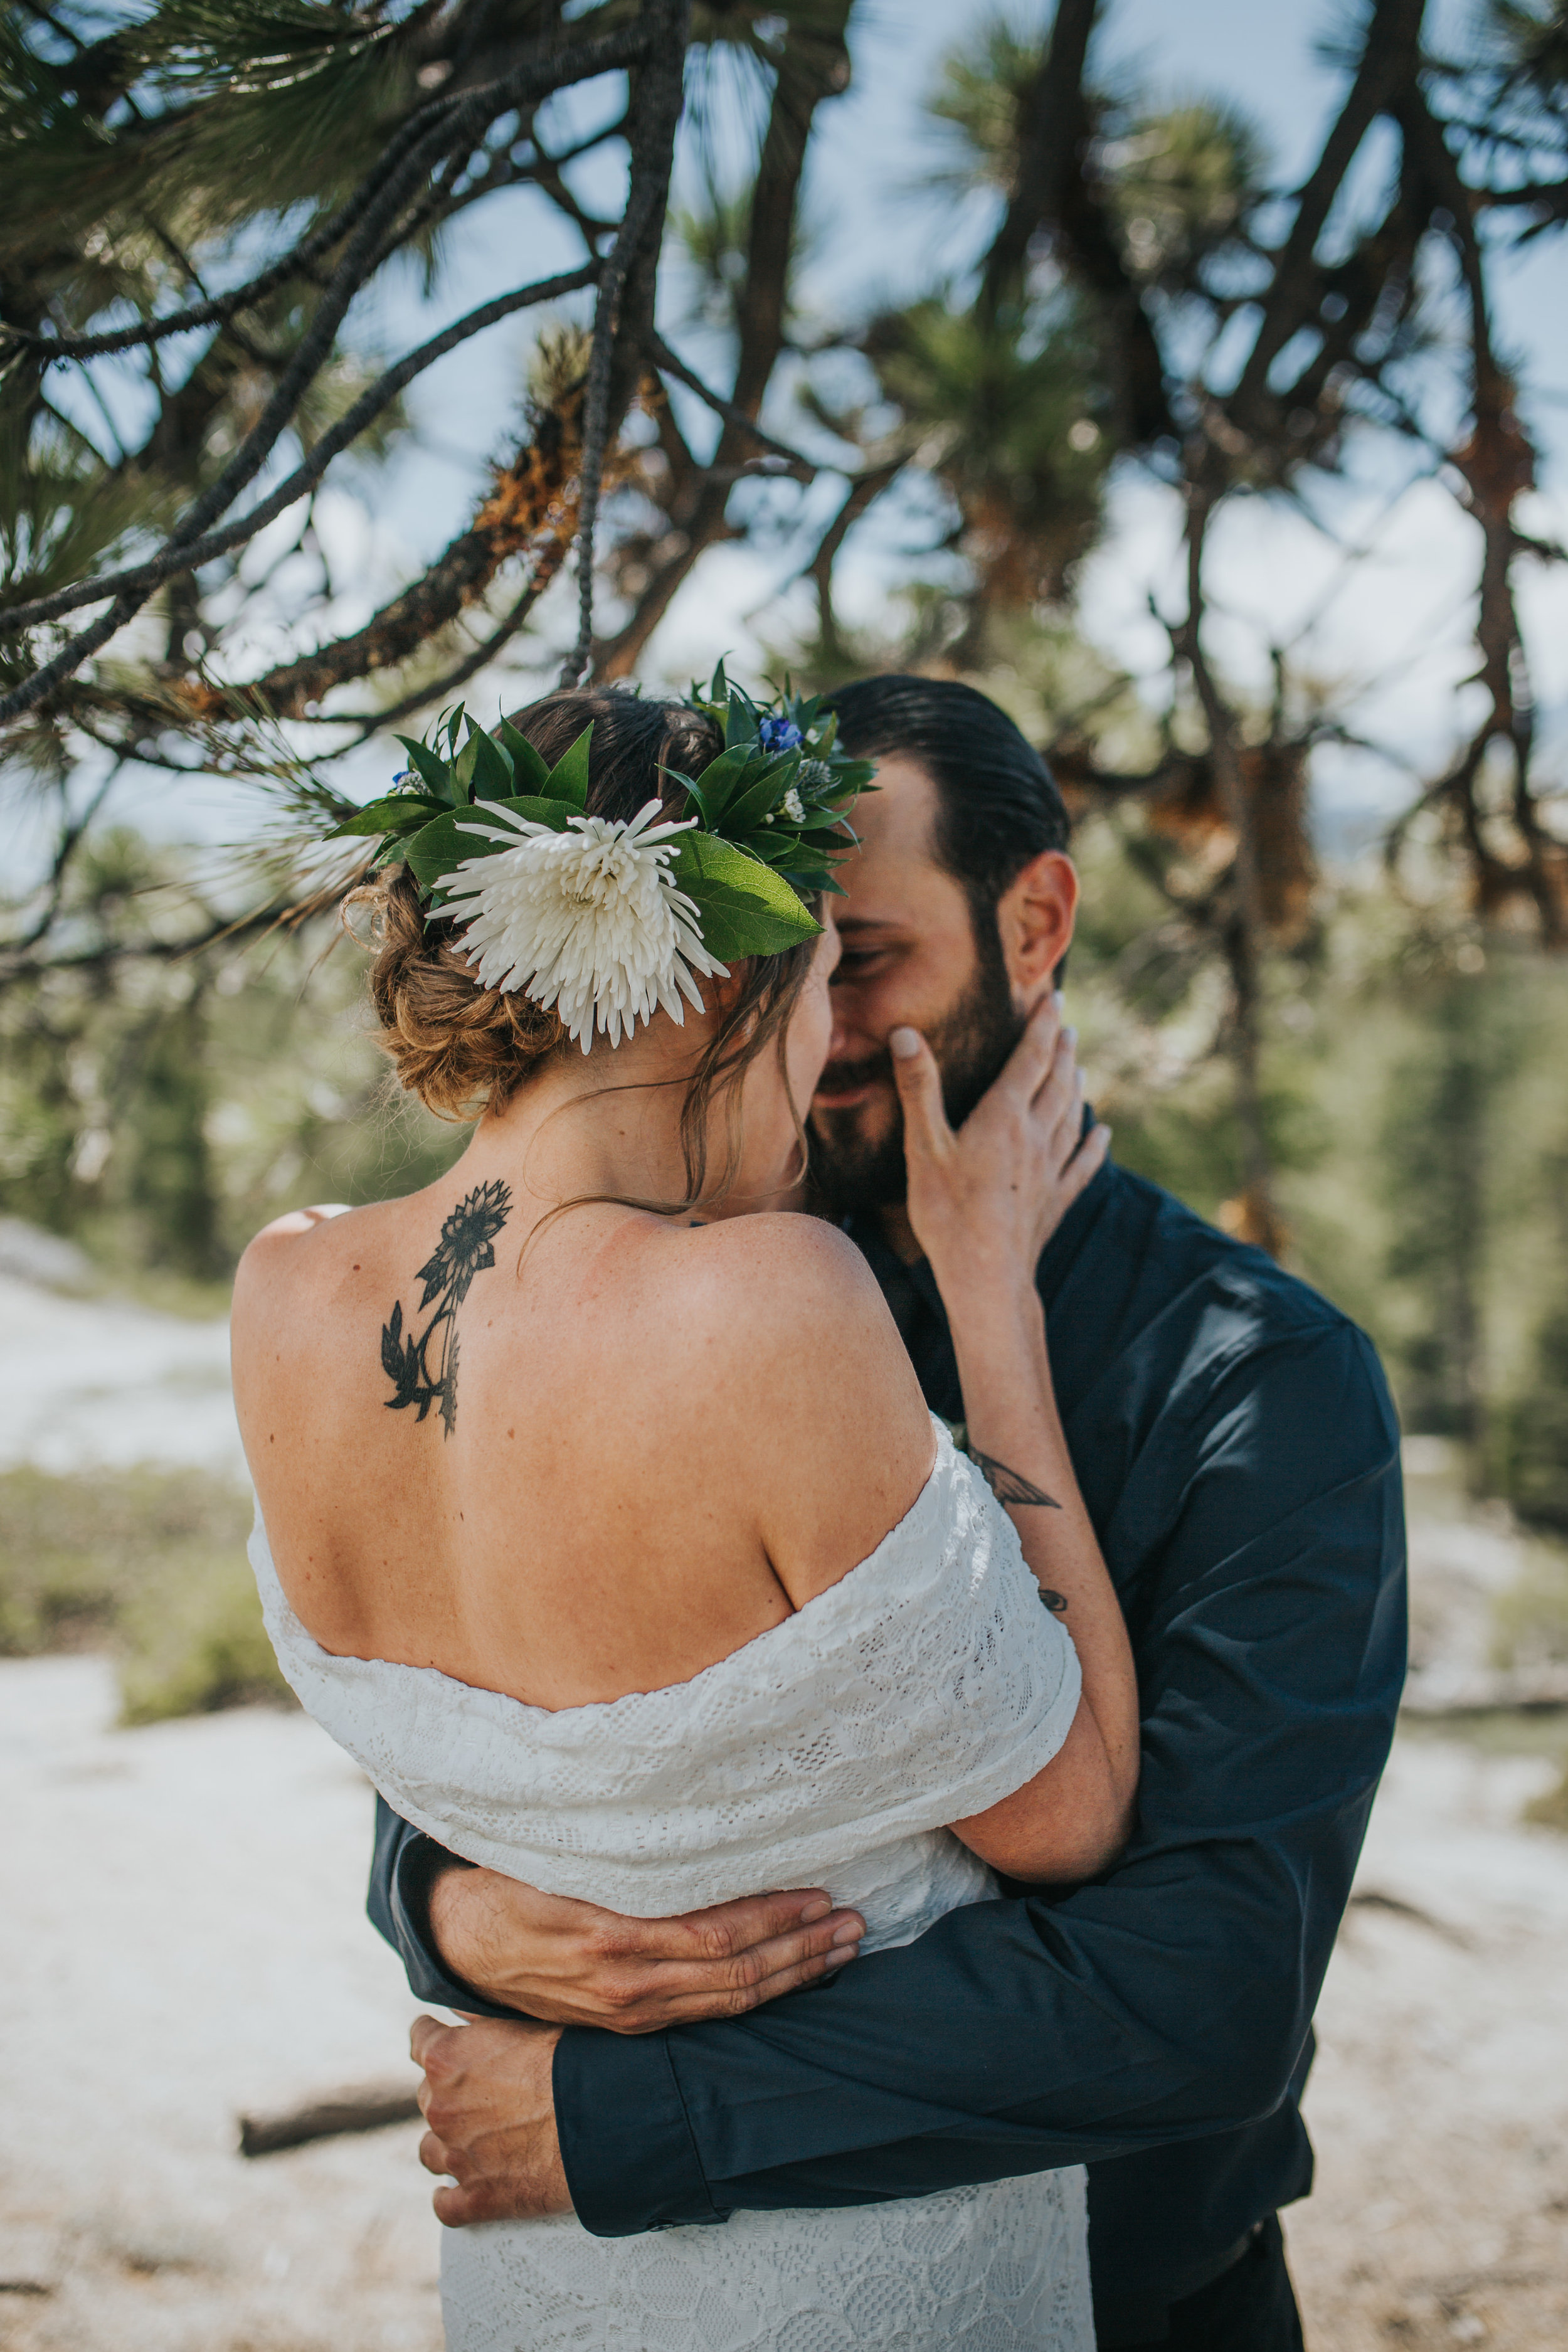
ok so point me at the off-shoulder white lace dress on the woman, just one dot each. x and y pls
(923, 1688)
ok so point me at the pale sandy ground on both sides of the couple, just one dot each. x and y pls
(182, 1939)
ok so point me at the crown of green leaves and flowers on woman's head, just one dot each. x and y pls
(610, 918)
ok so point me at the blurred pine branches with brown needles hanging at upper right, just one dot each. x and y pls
(1158, 234)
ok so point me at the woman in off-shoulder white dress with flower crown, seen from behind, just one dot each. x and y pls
(601, 1516)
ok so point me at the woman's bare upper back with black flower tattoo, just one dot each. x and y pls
(579, 1471)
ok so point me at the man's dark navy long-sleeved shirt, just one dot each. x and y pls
(1240, 1459)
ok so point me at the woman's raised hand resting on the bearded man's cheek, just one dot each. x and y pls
(984, 1201)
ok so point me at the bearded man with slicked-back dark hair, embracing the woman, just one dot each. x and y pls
(1240, 1459)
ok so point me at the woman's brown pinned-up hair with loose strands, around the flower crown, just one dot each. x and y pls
(467, 1050)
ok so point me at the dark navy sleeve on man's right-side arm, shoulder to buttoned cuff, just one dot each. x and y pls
(1167, 2000)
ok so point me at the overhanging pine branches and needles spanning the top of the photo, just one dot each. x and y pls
(192, 199)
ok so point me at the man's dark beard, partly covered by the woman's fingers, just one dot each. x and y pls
(857, 1154)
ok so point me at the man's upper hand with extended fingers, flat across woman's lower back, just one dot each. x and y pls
(577, 1965)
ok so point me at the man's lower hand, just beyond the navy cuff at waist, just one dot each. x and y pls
(492, 2120)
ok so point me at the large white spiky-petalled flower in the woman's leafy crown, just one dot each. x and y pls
(587, 921)
